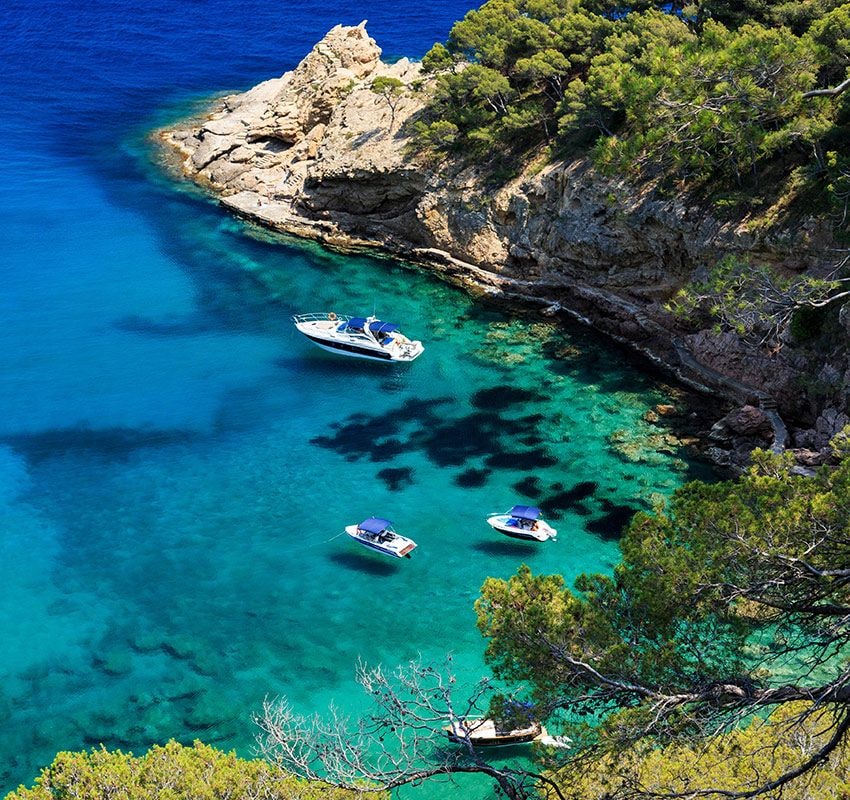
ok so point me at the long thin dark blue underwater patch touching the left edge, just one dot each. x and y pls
(107, 443)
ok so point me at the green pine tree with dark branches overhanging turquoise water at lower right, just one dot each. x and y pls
(731, 602)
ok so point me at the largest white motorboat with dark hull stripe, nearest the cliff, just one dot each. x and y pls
(360, 337)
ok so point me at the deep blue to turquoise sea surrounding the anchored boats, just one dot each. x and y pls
(176, 463)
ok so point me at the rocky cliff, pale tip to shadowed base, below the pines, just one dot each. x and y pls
(319, 153)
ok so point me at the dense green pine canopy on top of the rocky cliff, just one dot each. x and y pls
(709, 92)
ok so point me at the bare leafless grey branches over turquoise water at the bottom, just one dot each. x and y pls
(402, 742)
